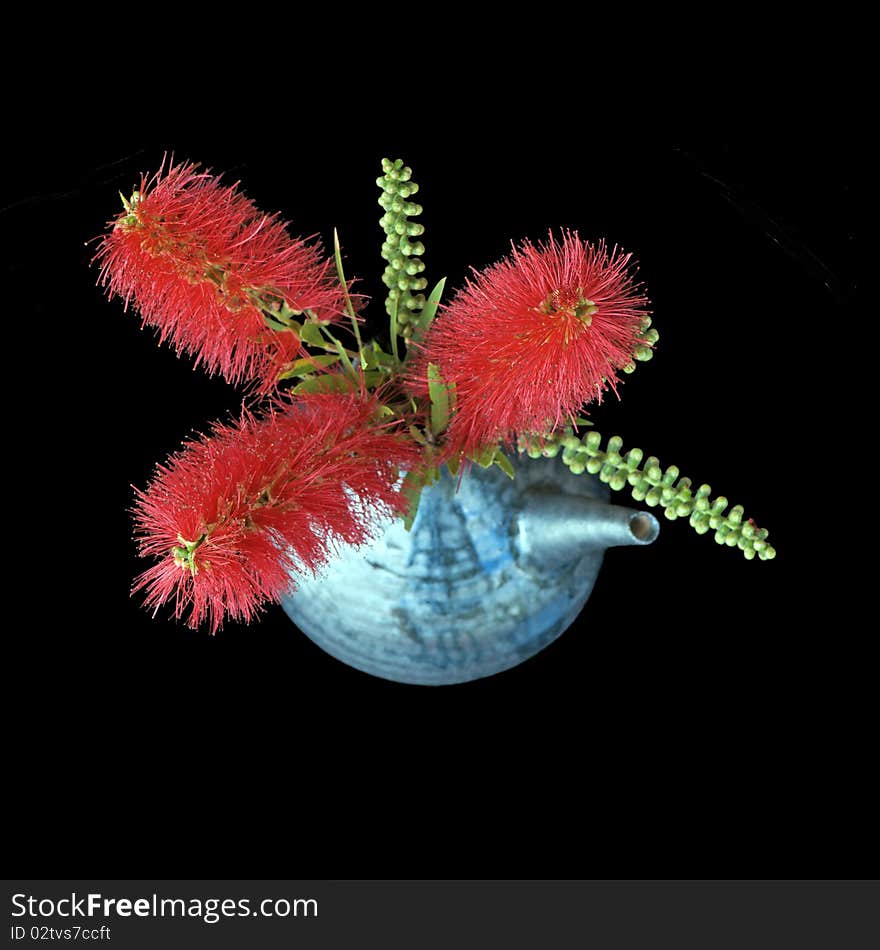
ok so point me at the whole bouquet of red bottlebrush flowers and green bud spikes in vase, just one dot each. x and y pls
(338, 435)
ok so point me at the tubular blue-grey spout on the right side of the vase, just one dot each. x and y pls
(553, 529)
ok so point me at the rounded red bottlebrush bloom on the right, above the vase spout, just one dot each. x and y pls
(531, 339)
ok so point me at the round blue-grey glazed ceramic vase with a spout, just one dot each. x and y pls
(492, 571)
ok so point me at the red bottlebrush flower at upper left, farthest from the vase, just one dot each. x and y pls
(206, 267)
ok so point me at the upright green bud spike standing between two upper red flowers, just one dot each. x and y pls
(402, 254)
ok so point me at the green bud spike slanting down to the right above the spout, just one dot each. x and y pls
(651, 484)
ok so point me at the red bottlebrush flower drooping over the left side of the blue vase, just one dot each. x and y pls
(232, 514)
